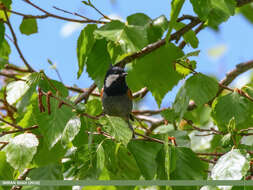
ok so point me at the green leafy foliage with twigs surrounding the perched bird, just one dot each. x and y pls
(44, 131)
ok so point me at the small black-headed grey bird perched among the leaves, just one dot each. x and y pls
(116, 96)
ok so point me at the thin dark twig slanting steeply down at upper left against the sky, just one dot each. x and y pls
(15, 41)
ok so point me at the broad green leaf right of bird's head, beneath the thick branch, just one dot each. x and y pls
(158, 68)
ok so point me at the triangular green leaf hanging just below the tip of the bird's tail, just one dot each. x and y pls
(145, 153)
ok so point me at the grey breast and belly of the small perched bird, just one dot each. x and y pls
(117, 105)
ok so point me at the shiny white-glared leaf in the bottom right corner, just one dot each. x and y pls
(231, 166)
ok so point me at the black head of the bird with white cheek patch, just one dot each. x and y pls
(115, 82)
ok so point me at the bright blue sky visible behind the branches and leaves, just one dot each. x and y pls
(57, 39)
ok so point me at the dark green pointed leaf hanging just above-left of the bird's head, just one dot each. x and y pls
(98, 62)
